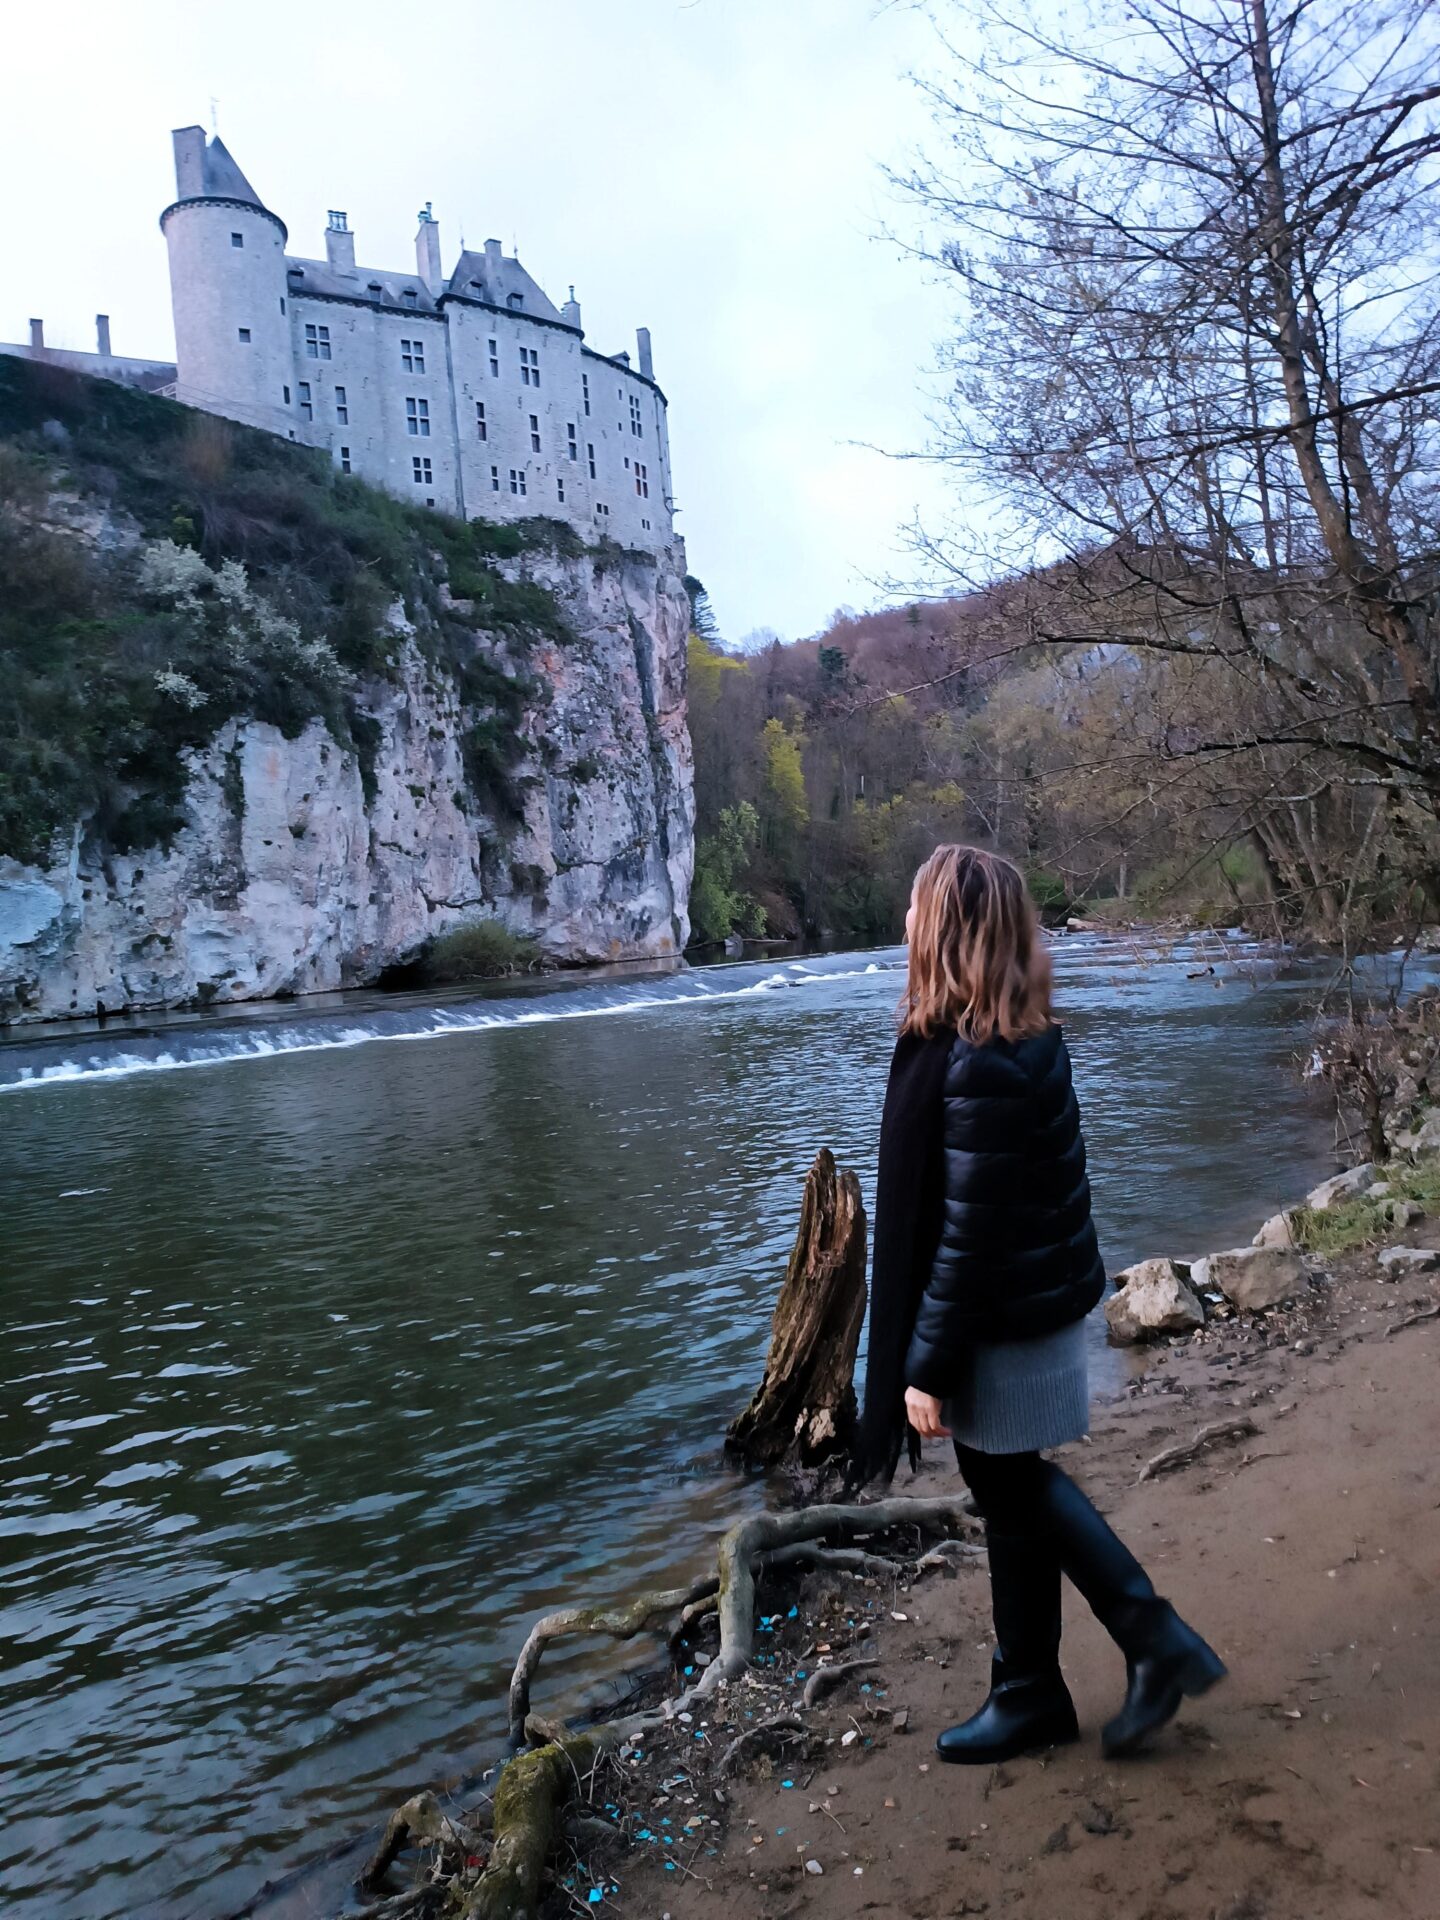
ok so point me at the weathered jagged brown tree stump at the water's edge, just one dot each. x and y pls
(805, 1404)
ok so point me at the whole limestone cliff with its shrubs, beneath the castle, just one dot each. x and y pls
(266, 731)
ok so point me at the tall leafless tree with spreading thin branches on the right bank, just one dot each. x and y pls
(1195, 389)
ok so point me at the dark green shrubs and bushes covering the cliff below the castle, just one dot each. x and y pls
(164, 571)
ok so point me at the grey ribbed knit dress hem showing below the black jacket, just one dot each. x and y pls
(1019, 1397)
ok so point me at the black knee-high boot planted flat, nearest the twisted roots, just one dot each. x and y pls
(1028, 1704)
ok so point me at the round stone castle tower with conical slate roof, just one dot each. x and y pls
(228, 289)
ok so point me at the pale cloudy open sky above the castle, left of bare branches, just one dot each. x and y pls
(711, 170)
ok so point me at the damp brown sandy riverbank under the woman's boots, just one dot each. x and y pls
(1305, 1788)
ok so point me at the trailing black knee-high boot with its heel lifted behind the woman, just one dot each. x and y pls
(1164, 1658)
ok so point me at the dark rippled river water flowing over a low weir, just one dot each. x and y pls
(335, 1360)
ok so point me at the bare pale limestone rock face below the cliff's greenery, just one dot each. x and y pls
(291, 878)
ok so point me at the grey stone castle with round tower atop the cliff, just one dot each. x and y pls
(468, 393)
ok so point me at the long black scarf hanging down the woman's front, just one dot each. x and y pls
(909, 1216)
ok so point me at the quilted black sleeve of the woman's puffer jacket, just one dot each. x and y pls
(990, 1120)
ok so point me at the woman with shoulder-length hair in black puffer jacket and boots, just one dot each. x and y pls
(986, 1268)
